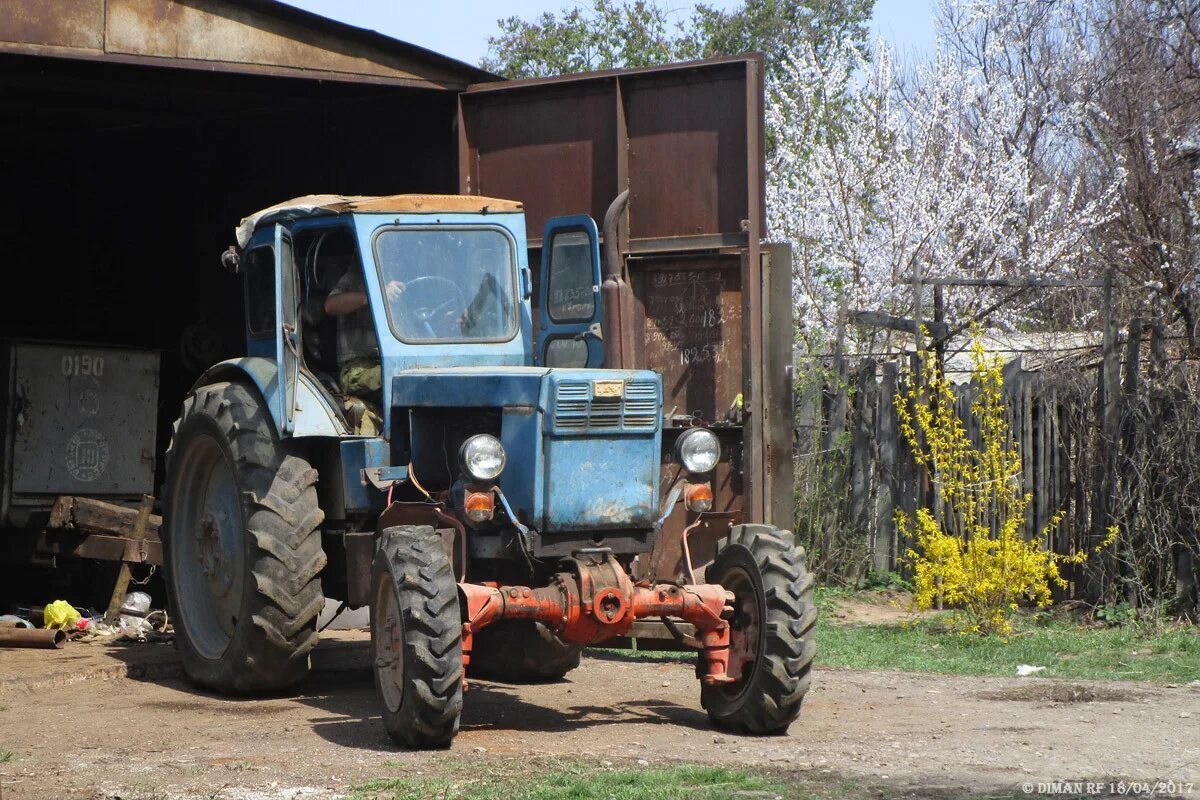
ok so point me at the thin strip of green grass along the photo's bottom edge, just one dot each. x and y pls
(562, 780)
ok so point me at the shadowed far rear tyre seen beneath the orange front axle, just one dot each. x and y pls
(523, 652)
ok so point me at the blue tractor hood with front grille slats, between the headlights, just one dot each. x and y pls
(584, 446)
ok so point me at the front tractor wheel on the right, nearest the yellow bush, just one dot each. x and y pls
(772, 630)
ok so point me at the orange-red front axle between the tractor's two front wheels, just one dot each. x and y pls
(598, 603)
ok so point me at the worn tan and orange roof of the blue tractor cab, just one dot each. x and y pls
(315, 206)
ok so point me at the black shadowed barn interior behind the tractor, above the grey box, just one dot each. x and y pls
(124, 184)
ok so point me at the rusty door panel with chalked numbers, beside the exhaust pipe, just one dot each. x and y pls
(692, 332)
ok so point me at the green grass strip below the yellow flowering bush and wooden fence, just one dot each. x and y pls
(1166, 654)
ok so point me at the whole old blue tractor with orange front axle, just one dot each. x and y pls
(406, 432)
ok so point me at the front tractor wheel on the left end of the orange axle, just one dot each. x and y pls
(417, 637)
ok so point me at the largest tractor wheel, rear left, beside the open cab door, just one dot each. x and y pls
(242, 545)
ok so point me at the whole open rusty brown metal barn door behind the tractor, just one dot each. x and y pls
(704, 296)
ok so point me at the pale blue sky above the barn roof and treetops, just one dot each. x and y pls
(460, 28)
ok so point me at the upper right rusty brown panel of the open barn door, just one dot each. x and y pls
(687, 153)
